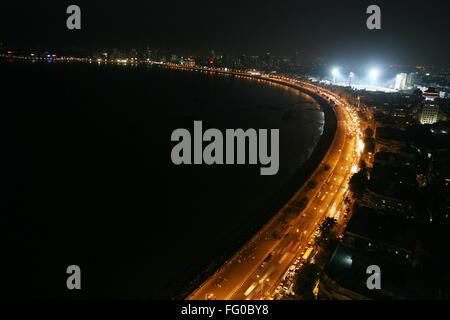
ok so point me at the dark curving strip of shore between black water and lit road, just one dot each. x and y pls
(182, 284)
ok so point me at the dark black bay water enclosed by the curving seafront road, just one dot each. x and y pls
(89, 181)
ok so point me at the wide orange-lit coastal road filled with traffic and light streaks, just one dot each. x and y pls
(246, 275)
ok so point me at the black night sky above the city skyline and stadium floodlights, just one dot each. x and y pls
(413, 33)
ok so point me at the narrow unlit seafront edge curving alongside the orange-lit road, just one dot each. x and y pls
(277, 201)
